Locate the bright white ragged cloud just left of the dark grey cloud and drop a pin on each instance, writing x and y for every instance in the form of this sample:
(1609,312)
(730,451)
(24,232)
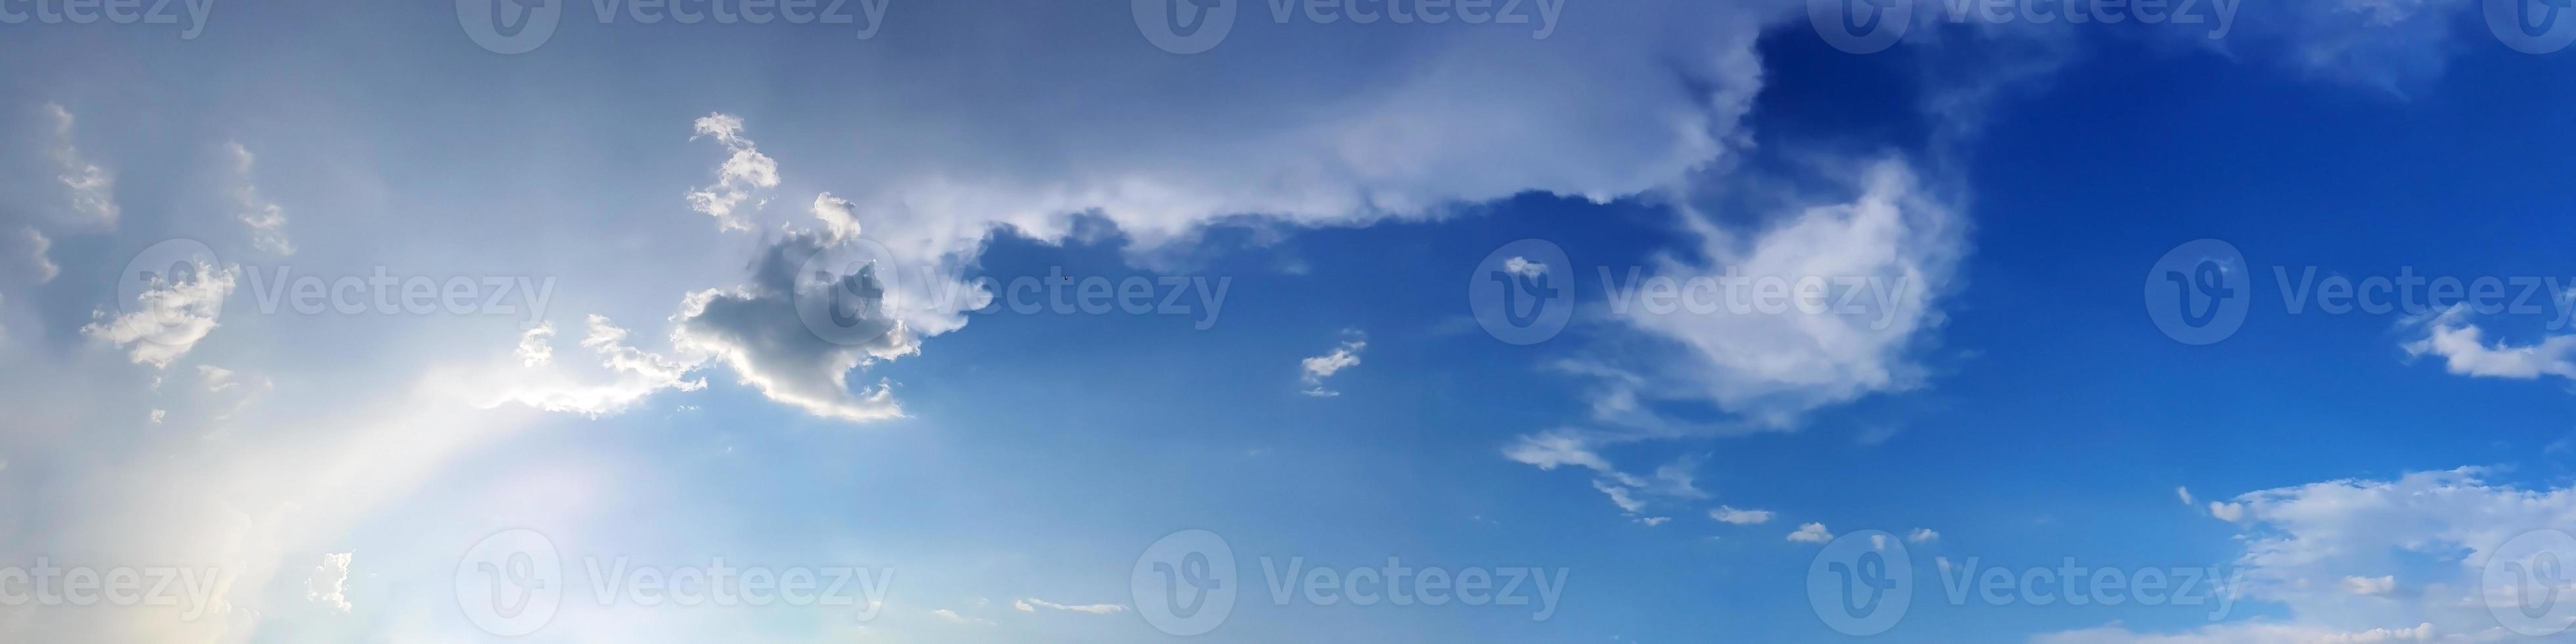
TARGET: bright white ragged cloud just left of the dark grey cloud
(635,375)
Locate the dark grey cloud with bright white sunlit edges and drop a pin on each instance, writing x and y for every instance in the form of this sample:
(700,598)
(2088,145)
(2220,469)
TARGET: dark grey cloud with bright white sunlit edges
(808,318)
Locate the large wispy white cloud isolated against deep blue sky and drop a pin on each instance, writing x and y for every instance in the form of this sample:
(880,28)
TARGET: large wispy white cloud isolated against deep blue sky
(1877,269)
